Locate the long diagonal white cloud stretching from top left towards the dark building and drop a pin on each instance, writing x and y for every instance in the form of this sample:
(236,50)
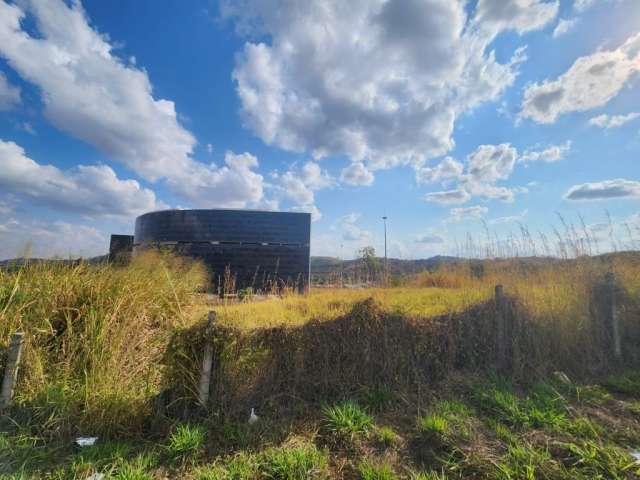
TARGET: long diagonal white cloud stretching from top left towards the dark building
(93,95)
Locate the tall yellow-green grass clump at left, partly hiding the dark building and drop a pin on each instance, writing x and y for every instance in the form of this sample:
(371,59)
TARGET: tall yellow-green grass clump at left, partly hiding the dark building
(94,336)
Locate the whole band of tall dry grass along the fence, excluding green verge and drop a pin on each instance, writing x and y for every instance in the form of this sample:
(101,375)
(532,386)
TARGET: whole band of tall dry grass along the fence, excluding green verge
(103,341)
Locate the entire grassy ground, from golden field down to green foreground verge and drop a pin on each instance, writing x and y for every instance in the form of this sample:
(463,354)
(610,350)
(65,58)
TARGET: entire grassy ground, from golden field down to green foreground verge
(376,383)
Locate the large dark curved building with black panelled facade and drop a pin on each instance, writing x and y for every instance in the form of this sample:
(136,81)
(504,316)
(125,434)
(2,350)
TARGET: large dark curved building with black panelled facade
(241,248)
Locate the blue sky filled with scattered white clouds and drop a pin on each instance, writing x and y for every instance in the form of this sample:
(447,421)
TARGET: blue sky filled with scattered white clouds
(463,122)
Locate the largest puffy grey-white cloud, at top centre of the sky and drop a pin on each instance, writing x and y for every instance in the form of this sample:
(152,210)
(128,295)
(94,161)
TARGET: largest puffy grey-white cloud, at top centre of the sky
(381,81)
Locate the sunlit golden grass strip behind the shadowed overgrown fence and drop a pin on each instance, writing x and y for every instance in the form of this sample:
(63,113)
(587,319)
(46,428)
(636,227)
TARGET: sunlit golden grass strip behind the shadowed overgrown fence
(558,291)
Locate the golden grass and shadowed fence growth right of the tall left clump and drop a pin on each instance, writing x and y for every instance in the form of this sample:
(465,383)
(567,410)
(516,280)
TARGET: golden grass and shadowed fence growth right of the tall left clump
(338,340)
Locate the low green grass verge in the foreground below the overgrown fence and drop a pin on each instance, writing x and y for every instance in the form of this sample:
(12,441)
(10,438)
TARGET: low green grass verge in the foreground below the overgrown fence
(470,429)
